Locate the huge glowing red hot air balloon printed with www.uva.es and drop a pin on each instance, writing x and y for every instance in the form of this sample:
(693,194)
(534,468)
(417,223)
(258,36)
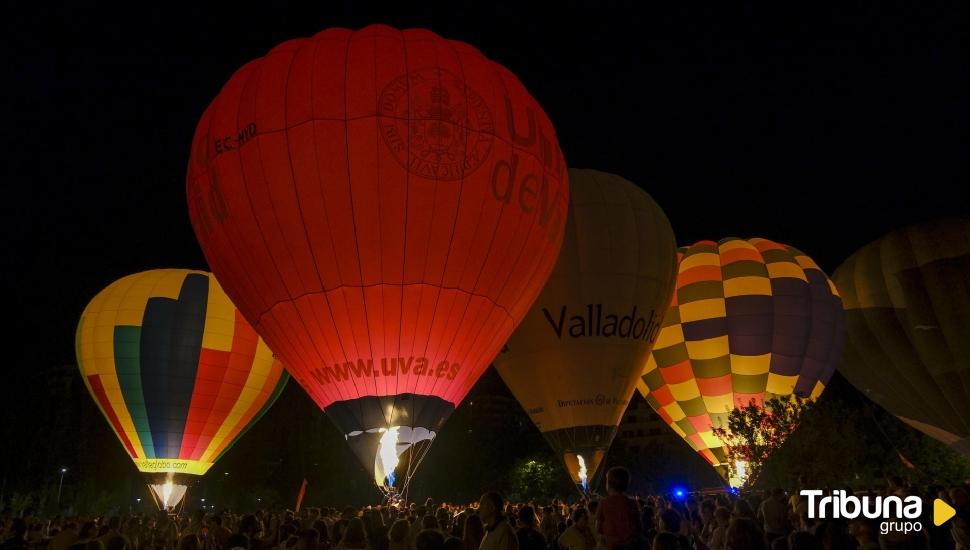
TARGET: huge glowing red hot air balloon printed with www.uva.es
(383,206)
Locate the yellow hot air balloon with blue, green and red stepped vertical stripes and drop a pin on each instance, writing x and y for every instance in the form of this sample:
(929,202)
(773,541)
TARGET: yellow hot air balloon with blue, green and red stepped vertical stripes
(177,371)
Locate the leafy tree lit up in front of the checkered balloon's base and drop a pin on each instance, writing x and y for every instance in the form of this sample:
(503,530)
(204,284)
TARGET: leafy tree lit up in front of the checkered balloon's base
(754,432)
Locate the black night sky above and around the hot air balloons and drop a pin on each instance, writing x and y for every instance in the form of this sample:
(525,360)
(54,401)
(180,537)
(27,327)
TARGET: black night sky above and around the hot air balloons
(822,128)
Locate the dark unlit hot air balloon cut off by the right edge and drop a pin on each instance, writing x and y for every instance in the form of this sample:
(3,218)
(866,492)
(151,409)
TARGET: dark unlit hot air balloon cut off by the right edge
(907,301)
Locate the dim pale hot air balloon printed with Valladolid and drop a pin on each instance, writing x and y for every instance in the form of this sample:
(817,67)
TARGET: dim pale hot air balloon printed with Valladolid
(575,360)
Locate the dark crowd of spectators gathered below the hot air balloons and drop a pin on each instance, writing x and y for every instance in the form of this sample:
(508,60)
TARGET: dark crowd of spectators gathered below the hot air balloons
(774,520)
